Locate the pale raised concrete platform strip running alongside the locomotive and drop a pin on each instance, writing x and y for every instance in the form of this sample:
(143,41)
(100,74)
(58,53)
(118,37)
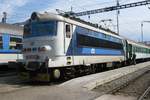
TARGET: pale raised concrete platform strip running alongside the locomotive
(89,82)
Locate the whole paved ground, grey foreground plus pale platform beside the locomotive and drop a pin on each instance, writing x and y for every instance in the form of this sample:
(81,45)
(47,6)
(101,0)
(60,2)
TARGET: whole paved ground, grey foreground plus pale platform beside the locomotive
(75,89)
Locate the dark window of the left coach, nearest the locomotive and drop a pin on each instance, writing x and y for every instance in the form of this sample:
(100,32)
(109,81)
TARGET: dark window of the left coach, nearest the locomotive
(15,43)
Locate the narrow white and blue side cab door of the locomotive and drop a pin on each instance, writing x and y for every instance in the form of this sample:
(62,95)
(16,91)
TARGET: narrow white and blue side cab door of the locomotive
(69,42)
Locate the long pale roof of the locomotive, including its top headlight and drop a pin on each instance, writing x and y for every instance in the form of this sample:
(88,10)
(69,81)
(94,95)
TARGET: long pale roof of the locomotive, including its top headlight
(51,16)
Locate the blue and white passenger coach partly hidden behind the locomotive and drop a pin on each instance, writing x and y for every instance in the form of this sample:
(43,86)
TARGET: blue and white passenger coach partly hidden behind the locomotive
(10,43)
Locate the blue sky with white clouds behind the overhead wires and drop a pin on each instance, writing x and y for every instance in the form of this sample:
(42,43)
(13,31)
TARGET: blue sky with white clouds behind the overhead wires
(129,19)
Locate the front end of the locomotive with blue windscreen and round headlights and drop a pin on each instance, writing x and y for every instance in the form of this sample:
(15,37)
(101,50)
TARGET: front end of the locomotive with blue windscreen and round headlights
(38,47)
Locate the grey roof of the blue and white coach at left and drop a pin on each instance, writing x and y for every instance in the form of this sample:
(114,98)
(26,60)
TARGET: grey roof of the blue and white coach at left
(11,29)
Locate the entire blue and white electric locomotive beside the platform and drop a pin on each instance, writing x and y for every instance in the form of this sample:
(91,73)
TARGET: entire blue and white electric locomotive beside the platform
(58,47)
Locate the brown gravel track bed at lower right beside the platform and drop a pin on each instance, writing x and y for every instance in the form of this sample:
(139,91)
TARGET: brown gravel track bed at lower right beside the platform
(131,85)
